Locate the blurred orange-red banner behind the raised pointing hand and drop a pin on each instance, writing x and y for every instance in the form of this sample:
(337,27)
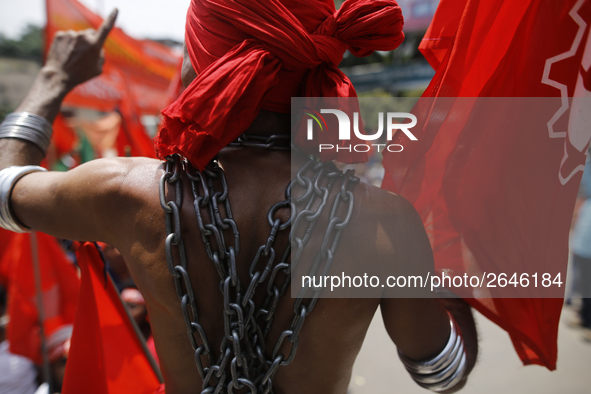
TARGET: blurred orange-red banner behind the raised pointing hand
(145,66)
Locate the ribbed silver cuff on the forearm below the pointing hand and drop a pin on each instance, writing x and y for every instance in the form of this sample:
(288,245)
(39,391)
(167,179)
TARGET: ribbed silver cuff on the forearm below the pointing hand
(29,127)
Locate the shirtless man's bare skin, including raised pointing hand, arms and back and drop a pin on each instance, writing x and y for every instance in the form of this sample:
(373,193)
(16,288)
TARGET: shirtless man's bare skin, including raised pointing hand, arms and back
(116,201)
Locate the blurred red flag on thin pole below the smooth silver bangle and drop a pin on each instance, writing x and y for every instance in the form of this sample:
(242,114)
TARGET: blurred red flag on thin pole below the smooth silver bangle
(59,286)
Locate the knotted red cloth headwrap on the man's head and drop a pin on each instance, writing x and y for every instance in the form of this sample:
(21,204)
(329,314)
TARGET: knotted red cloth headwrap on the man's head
(257,54)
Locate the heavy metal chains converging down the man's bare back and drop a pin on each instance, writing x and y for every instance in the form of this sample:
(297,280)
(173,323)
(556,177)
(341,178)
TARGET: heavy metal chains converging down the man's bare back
(243,361)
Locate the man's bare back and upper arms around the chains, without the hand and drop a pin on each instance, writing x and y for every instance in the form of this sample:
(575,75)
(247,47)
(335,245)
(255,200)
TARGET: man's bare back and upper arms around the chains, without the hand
(124,193)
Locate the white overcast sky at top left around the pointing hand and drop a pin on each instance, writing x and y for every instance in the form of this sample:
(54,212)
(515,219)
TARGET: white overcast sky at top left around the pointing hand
(138,18)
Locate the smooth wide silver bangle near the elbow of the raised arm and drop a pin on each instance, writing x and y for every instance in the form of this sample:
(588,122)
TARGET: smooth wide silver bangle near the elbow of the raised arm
(8,178)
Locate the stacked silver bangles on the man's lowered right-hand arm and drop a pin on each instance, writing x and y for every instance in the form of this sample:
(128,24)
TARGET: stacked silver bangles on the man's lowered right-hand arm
(444,370)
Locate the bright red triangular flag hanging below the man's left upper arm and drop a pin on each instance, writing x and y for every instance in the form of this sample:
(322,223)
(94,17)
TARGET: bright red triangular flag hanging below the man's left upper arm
(106,355)
